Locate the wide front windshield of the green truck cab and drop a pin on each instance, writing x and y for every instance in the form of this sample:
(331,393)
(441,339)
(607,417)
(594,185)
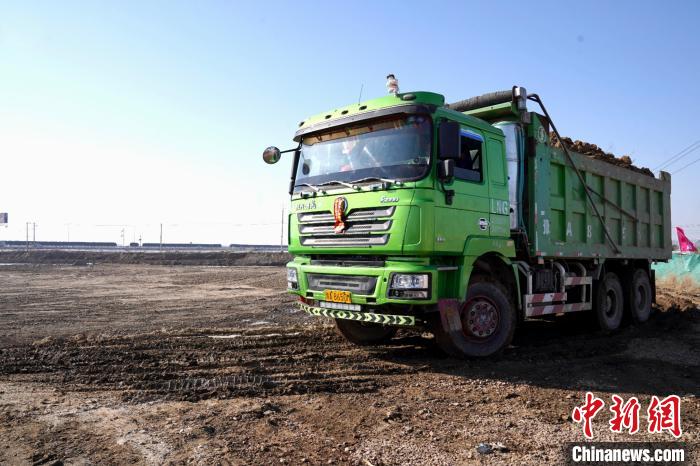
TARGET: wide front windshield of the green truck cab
(395,148)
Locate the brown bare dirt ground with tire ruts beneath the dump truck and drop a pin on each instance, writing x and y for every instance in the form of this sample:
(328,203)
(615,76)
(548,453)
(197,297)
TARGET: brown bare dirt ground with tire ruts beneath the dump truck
(113,364)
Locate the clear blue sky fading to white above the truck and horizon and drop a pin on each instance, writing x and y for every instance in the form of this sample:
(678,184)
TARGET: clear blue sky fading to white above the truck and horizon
(125,115)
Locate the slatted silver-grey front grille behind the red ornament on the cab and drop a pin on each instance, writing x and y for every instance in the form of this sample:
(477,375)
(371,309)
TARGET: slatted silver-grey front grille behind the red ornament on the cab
(365,228)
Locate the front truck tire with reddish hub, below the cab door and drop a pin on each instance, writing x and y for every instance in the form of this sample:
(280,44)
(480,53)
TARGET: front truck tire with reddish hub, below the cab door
(488,322)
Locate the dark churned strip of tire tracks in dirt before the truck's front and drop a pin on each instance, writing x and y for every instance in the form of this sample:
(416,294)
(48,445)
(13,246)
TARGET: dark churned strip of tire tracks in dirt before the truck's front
(157,367)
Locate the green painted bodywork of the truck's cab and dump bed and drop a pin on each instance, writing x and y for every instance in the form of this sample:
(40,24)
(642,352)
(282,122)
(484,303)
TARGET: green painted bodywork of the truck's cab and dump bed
(420,230)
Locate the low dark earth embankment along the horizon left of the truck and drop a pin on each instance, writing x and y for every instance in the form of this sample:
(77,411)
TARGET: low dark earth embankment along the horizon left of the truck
(222,257)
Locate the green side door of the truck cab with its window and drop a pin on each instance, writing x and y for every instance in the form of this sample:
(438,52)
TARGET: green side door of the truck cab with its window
(469,212)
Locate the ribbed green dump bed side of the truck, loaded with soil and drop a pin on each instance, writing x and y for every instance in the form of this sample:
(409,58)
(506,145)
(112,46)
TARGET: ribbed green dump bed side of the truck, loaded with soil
(559,218)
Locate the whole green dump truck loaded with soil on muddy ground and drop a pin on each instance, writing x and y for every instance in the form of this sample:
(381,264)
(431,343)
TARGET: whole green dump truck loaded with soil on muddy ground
(465,219)
